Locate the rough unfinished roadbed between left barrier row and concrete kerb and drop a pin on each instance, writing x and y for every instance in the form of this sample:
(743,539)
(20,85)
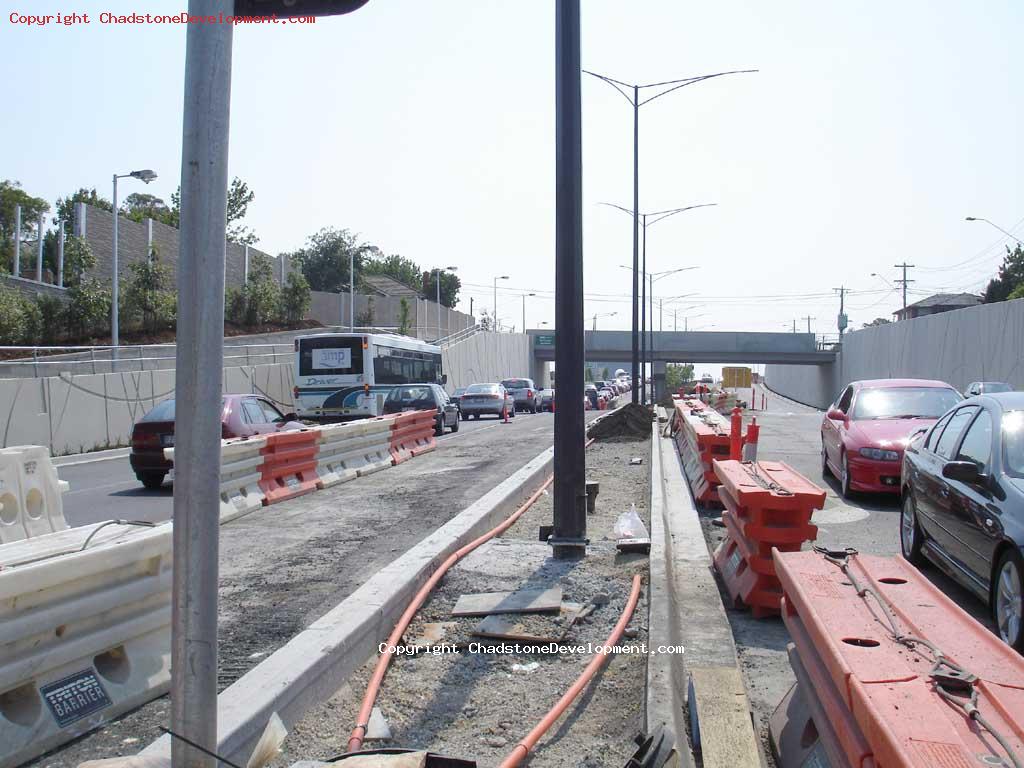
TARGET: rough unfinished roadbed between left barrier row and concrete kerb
(285,567)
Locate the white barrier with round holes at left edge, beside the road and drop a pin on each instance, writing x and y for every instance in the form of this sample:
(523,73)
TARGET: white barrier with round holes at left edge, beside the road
(30,494)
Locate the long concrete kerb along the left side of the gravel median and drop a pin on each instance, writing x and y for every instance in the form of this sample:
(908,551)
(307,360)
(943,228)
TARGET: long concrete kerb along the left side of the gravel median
(317,662)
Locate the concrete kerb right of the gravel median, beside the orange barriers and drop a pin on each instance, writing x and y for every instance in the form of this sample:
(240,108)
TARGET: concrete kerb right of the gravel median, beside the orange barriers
(687,609)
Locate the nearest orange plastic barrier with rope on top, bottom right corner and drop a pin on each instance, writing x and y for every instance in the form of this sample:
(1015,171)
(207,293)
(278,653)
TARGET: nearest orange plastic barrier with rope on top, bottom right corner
(883,697)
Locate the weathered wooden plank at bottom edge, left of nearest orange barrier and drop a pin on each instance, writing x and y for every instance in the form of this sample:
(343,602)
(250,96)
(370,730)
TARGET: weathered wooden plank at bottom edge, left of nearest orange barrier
(727,732)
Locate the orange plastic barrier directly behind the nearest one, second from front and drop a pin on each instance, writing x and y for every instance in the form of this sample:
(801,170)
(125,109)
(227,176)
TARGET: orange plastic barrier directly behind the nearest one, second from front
(767,506)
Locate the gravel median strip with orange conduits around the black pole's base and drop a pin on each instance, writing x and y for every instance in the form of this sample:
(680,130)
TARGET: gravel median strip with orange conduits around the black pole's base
(479,705)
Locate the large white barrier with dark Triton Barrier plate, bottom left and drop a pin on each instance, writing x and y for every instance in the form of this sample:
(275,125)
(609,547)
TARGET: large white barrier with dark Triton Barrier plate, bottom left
(86,633)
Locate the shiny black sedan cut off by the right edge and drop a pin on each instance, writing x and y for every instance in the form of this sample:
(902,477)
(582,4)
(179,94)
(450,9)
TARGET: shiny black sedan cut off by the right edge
(964,503)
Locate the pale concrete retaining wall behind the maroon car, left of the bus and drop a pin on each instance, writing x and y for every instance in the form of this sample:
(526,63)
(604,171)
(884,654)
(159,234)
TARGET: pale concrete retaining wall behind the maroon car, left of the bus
(72,414)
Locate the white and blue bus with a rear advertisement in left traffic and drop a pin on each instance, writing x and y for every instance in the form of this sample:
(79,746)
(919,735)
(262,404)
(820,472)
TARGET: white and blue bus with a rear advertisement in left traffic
(342,377)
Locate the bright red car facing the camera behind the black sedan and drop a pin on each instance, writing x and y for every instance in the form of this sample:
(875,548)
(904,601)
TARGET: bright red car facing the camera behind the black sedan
(865,433)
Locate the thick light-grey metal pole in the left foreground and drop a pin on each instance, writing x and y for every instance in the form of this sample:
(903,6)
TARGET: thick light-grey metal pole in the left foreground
(198,383)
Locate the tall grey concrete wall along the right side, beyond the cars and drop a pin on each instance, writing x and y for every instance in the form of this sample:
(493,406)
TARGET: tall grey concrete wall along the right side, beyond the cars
(982,344)
